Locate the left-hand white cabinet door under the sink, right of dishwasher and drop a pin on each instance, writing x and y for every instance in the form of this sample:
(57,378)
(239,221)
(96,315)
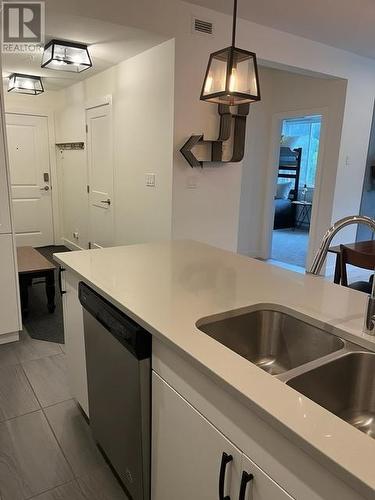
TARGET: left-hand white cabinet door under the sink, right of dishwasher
(187,451)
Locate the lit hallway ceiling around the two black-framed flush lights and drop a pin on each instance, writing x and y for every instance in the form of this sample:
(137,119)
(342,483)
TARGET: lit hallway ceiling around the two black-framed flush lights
(108,43)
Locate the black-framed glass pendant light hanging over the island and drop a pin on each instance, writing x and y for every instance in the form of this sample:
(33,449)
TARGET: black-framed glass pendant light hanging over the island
(232,74)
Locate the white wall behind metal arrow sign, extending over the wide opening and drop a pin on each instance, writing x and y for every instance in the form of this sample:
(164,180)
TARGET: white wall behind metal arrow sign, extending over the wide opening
(211,212)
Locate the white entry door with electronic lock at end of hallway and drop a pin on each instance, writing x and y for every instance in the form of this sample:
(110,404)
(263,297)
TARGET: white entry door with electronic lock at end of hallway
(30,179)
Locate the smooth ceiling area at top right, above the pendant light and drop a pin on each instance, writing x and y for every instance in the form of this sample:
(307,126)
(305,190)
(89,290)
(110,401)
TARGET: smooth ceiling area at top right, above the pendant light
(346,24)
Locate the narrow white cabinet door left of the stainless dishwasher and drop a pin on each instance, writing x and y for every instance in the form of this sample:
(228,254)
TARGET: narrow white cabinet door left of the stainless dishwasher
(74,340)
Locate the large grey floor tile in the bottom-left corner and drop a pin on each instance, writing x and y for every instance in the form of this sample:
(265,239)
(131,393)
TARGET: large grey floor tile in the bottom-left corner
(31,461)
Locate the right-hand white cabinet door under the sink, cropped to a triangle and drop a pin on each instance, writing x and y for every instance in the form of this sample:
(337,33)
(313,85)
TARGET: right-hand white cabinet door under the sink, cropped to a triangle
(256,485)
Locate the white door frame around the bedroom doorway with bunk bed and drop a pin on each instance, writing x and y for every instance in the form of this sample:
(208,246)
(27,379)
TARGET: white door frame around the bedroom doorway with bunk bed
(271,176)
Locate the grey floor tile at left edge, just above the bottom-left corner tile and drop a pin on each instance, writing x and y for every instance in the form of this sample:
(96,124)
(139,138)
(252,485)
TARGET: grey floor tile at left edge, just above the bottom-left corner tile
(16,395)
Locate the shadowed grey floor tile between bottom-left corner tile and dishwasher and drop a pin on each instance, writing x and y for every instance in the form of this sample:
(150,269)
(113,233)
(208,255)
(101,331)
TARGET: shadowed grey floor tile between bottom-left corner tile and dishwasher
(74,436)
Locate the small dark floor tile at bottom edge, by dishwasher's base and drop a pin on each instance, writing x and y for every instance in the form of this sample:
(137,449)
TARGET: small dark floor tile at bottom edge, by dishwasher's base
(101,485)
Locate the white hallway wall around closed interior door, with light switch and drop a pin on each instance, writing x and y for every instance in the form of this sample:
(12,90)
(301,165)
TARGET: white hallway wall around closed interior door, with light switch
(142,98)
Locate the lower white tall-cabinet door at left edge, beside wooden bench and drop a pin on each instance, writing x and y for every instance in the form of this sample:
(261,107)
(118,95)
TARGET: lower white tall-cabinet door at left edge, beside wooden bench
(8,292)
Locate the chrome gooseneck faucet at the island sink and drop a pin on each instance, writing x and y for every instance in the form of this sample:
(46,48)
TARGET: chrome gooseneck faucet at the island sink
(321,254)
